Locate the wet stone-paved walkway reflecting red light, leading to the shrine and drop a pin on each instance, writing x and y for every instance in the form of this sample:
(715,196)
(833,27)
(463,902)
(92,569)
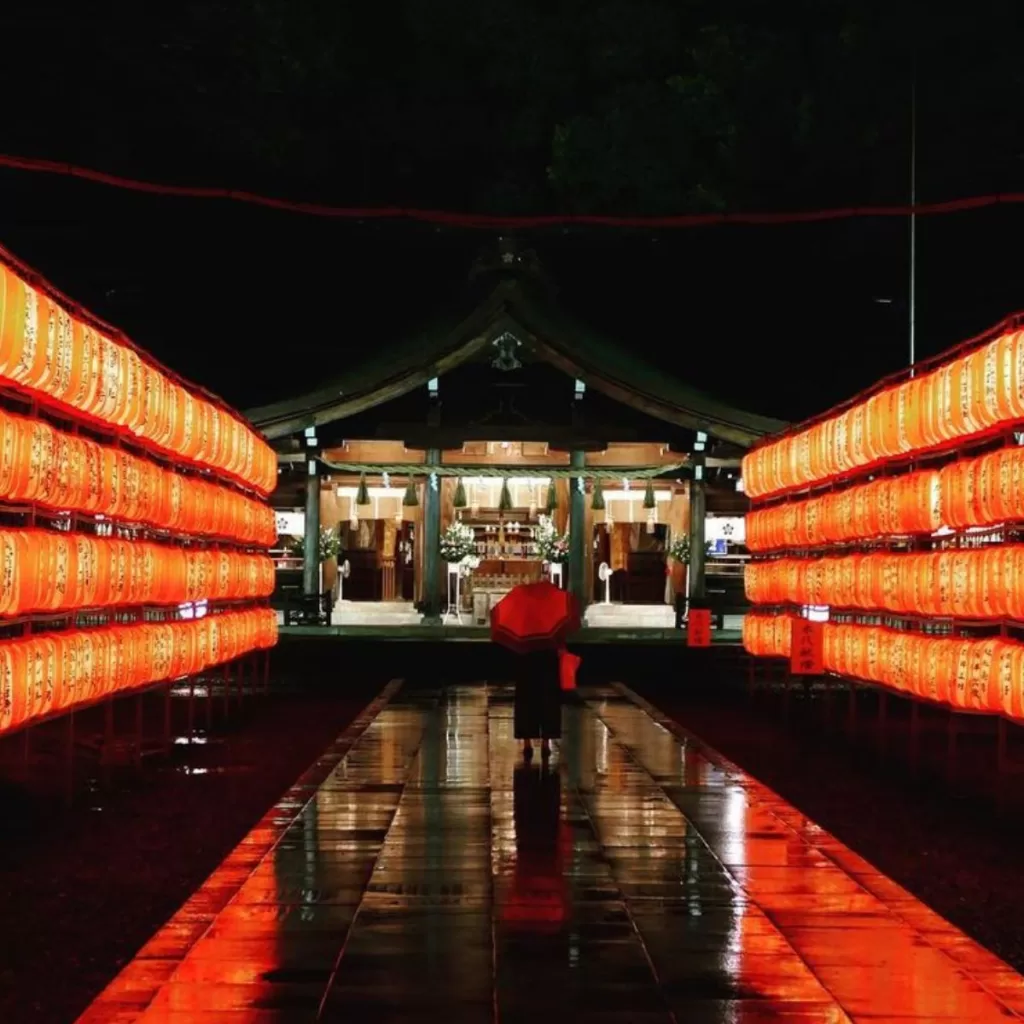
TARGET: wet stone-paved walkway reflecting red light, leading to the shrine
(421,871)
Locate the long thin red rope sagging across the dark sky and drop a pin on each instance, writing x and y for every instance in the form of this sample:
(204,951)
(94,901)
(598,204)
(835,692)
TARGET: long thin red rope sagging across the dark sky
(493,223)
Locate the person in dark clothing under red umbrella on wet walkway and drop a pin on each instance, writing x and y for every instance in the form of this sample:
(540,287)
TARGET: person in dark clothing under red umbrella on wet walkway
(534,621)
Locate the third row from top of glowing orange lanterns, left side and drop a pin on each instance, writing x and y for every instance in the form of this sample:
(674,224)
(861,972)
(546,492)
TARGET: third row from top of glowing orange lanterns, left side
(52,571)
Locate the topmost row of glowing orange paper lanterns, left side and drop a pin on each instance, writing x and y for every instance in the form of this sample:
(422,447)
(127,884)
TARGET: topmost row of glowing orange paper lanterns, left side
(46,350)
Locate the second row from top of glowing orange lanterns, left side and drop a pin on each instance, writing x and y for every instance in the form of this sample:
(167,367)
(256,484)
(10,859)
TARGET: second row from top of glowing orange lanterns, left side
(45,466)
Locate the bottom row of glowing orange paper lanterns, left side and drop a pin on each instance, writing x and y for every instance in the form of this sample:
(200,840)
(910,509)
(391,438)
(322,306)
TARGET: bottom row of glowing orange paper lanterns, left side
(58,672)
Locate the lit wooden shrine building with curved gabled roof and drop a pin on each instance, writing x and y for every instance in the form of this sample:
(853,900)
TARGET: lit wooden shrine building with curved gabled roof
(506,446)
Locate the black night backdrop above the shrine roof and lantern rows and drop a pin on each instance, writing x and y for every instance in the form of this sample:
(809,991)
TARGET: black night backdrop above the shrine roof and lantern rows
(633,107)
